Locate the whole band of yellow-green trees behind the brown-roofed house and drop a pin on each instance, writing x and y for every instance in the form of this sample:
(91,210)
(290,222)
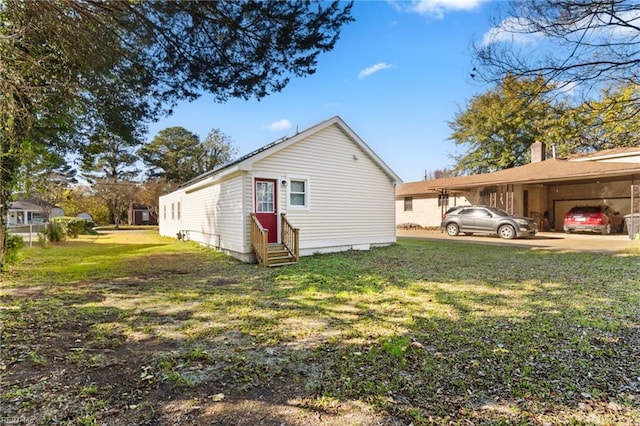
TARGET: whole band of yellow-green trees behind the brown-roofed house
(499,126)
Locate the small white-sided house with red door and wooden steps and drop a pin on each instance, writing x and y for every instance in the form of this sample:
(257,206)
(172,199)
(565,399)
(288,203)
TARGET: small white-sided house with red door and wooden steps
(322,190)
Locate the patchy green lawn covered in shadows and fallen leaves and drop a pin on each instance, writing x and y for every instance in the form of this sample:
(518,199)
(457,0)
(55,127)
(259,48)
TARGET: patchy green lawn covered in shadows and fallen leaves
(131,328)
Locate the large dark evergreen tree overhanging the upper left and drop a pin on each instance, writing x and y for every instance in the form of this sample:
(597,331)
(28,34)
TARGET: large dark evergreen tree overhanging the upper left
(70,68)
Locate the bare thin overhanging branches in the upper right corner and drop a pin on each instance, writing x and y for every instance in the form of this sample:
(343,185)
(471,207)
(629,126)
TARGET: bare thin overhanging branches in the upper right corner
(570,43)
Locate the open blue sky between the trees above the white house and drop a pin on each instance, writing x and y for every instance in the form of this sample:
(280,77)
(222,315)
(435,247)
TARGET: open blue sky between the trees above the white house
(397,75)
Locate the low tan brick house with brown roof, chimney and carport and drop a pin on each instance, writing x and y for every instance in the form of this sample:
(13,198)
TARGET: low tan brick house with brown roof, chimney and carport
(544,189)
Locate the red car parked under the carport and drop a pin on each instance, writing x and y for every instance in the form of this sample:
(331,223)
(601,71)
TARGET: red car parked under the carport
(600,219)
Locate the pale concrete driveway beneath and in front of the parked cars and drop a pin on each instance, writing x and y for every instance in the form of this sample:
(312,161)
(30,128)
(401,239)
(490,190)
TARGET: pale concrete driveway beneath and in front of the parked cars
(543,240)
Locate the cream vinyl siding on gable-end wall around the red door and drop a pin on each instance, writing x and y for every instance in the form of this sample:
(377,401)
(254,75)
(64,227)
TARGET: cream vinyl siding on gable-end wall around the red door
(353,199)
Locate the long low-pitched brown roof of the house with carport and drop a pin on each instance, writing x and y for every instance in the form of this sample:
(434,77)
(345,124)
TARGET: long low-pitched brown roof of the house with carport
(548,171)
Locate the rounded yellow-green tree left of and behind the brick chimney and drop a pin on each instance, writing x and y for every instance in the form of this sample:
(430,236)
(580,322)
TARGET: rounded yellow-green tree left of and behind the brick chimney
(499,126)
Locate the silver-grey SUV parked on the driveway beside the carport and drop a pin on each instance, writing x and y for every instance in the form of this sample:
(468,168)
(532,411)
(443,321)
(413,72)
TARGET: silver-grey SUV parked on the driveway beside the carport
(487,220)
